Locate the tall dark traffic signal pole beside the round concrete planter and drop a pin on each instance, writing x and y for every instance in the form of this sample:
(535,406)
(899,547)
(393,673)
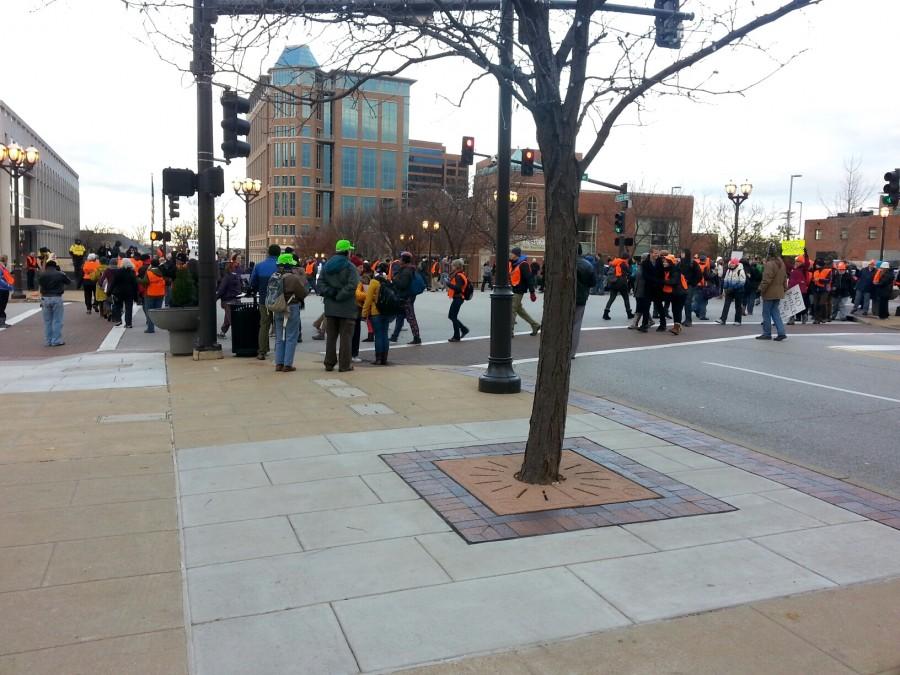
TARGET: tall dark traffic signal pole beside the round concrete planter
(206,346)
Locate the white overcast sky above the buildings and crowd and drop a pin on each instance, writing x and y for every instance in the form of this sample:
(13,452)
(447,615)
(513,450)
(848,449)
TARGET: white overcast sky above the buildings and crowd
(89,81)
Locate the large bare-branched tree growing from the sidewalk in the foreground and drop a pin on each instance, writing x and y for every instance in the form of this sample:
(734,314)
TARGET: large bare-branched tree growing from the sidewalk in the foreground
(576,71)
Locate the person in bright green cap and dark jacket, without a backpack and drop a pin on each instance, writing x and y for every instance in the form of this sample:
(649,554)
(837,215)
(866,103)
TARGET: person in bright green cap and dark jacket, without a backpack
(337,285)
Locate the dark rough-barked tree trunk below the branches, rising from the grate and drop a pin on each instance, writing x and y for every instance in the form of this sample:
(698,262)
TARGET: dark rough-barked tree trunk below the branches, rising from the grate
(548,412)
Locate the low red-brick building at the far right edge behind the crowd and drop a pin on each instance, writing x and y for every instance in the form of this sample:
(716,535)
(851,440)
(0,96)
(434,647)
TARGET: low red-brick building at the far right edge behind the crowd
(855,237)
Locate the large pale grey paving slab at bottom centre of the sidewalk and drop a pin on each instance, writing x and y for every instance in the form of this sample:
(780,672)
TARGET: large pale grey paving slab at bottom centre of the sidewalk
(425,624)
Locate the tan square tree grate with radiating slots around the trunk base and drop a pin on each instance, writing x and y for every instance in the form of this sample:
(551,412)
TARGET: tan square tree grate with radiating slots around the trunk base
(491,480)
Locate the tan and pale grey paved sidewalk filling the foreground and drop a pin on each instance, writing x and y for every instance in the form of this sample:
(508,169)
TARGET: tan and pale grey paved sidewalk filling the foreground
(300,548)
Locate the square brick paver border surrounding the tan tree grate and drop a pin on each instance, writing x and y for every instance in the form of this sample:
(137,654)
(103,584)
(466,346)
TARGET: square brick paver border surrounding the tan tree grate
(476,523)
